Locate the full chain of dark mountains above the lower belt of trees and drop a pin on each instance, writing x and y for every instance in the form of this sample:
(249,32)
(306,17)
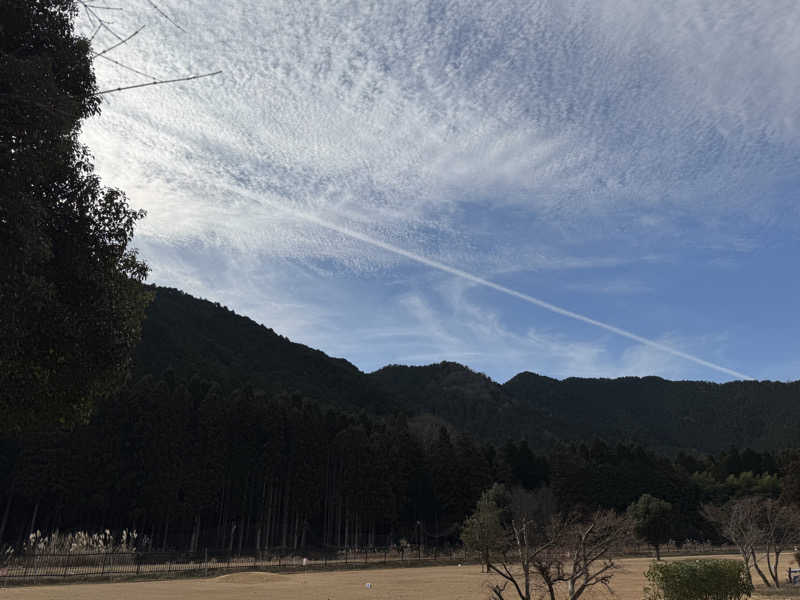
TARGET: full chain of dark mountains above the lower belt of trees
(192,336)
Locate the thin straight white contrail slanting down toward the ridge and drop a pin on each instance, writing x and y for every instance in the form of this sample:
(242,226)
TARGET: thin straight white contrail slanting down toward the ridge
(495,286)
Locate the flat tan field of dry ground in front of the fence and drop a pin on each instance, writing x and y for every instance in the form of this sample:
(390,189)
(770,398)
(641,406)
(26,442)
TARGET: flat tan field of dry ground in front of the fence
(429,583)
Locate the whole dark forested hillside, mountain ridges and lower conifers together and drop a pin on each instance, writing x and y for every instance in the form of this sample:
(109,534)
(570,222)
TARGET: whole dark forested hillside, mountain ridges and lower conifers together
(231,436)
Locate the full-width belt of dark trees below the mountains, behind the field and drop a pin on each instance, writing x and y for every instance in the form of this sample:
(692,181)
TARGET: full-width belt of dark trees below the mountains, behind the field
(191,466)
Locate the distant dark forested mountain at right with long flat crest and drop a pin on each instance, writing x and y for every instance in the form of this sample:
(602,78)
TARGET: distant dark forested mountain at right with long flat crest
(669,415)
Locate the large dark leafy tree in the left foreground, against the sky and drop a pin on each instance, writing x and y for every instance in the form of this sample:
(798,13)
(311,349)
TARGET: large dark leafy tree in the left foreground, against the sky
(70,291)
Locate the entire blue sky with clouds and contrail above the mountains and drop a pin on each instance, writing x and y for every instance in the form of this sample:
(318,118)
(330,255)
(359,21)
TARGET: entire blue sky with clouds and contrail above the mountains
(502,184)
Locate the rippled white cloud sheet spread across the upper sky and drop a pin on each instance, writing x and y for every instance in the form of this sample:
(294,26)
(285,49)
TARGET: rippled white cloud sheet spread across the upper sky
(391,115)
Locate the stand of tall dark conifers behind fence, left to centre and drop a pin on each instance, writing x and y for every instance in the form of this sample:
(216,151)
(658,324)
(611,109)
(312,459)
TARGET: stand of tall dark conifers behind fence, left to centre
(190,466)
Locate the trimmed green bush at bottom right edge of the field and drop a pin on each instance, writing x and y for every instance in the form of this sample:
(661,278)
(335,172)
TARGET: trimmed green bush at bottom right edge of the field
(708,579)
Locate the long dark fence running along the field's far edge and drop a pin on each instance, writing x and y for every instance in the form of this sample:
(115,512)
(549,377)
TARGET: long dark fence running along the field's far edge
(34,568)
